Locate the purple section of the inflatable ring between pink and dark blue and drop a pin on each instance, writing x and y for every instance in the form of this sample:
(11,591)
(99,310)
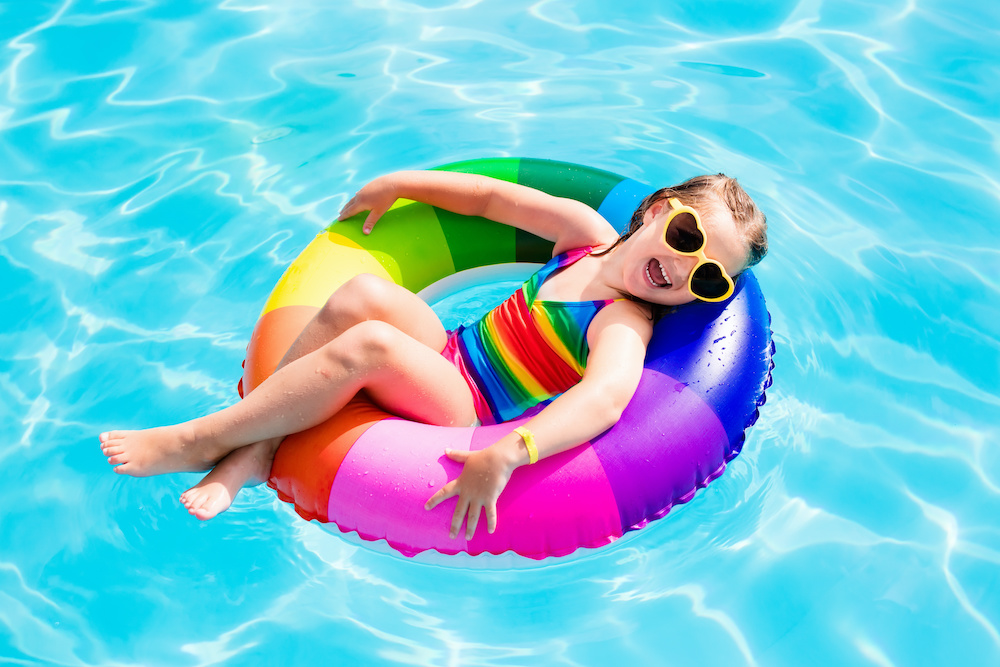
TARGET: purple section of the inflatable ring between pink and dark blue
(667,444)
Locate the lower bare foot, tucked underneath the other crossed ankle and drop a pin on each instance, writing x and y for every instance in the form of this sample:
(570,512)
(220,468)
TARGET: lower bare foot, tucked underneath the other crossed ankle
(216,492)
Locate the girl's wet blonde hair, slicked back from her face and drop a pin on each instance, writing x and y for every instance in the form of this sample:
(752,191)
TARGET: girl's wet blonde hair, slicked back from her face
(703,193)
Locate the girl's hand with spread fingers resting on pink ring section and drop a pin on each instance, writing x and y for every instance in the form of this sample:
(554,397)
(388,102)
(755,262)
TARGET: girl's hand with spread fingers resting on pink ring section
(483,478)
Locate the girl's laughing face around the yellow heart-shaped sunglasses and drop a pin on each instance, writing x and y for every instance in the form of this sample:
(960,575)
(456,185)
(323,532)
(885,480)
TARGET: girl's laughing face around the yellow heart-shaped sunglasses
(656,273)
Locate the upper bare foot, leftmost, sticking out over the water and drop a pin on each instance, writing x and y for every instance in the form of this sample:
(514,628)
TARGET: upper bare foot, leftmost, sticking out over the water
(156,451)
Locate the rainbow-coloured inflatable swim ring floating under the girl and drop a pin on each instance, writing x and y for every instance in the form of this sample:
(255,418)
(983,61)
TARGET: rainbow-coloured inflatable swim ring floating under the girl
(369,472)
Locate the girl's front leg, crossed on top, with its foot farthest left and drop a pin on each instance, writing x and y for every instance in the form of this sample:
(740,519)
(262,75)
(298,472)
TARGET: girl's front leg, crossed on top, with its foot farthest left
(397,370)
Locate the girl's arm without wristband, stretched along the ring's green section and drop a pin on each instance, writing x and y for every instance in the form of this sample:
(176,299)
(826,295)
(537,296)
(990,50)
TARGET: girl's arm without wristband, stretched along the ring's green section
(567,222)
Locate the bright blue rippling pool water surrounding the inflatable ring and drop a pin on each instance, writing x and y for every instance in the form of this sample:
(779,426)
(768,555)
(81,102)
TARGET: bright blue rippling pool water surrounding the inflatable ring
(162,162)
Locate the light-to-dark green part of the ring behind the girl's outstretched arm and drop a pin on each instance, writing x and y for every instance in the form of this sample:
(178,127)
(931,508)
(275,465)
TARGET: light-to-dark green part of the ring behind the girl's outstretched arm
(423,244)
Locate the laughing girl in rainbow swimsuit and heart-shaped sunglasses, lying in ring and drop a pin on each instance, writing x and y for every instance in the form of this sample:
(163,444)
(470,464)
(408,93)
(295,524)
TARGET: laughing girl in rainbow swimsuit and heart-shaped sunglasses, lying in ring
(684,243)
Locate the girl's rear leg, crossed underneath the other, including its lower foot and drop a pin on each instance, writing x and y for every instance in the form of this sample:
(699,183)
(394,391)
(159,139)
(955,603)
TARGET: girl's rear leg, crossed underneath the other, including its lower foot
(362,298)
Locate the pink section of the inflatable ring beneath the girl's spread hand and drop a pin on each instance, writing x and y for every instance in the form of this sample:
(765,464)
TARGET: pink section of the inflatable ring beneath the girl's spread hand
(550,508)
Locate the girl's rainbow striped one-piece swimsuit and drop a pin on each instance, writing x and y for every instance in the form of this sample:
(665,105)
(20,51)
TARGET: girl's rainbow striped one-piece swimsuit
(524,352)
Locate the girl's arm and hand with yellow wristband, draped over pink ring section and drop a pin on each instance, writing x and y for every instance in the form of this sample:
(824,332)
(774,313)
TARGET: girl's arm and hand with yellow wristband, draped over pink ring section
(617,338)
